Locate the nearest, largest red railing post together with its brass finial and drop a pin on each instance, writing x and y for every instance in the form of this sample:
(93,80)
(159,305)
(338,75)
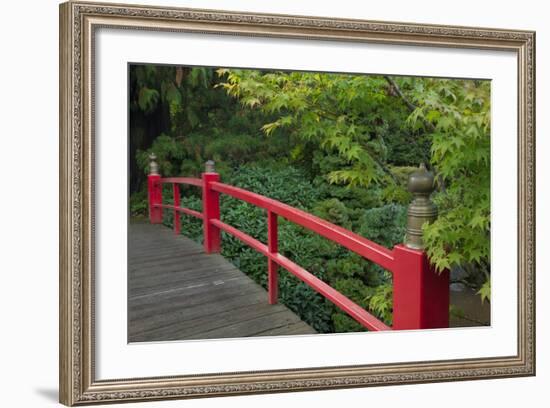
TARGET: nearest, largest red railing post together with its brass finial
(420,294)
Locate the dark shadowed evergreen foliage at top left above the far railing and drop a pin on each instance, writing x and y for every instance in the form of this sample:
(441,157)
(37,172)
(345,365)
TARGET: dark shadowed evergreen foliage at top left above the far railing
(204,123)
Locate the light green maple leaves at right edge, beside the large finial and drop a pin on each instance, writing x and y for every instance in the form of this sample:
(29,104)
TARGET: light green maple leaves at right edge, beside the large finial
(457,115)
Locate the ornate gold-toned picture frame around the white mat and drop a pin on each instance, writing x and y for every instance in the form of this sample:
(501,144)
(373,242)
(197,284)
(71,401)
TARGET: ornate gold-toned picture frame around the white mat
(78,22)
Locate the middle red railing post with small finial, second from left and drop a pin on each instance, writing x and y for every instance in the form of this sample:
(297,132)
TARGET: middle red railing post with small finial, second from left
(210,209)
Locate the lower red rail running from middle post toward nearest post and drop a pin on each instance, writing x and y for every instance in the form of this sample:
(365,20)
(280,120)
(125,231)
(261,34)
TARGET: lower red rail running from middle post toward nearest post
(347,305)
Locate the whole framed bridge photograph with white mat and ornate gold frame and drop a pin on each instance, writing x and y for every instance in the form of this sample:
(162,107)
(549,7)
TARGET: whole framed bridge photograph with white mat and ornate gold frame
(256,203)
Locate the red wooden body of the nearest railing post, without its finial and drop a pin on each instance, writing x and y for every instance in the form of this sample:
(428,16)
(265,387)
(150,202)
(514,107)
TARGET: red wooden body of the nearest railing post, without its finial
(420,295)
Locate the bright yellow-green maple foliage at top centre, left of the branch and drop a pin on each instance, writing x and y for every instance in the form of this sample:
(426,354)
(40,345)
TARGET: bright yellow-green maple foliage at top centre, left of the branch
(349,115)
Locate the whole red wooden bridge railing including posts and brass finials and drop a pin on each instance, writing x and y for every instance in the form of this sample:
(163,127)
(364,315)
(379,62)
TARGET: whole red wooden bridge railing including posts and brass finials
(420,295)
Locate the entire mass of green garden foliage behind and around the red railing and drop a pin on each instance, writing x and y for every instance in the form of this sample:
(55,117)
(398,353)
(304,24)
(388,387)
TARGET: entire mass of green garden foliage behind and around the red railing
(336,145)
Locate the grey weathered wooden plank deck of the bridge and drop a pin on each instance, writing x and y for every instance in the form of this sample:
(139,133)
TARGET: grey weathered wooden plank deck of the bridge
(177,292)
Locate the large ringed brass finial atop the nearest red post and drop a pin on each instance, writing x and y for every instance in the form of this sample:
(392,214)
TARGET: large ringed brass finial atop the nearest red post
(421,209)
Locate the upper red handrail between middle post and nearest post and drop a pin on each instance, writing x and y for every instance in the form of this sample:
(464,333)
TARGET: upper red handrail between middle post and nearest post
(356,243)
